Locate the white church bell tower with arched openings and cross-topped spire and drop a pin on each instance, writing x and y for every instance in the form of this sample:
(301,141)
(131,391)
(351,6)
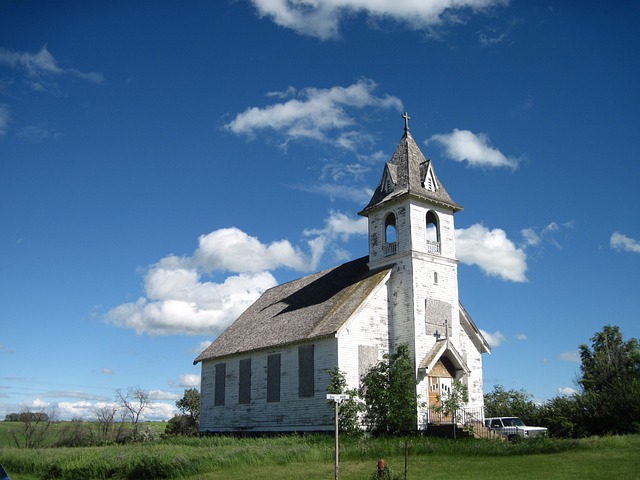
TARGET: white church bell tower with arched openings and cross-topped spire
(411,228)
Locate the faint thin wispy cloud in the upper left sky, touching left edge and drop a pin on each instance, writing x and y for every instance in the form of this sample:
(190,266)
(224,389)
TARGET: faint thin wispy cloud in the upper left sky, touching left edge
(42,64)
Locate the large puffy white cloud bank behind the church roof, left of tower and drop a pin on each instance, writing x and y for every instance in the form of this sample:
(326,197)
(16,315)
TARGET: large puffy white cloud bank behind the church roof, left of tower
(178,300)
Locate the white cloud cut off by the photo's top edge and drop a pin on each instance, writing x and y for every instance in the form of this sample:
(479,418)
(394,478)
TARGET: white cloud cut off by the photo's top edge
(322,18)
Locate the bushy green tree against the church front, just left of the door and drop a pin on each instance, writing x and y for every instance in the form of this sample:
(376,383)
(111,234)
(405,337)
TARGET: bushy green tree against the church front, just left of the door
(389,394)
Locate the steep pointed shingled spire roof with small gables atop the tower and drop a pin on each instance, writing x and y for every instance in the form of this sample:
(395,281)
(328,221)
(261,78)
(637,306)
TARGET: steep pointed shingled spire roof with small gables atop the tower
(411,173)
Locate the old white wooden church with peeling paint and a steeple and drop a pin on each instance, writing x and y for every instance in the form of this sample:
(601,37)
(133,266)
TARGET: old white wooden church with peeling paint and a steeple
(267,372)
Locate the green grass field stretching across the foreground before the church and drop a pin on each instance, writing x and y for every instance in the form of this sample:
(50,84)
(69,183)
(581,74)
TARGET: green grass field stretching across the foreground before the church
(311,457)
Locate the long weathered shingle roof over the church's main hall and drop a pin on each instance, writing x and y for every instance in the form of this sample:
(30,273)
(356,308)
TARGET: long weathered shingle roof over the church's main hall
(311,307)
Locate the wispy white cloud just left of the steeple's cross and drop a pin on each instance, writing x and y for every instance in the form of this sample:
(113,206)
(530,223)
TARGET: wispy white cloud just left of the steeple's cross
(313,113)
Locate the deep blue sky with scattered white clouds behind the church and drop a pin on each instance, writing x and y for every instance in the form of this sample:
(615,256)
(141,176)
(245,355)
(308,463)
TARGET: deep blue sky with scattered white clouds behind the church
(162,163)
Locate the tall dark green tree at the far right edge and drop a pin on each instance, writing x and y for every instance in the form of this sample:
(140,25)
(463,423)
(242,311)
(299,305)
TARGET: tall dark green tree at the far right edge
(611,383)
